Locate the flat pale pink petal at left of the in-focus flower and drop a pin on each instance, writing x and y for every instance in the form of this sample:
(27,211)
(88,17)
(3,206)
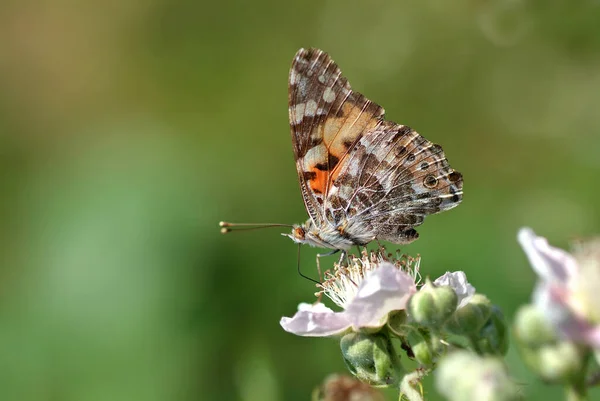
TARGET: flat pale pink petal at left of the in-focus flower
(315,321)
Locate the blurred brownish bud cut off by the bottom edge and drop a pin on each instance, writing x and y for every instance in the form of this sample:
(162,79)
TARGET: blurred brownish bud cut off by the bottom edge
(344,388)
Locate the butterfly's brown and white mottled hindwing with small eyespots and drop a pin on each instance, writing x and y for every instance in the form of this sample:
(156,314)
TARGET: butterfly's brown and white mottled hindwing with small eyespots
(392,179)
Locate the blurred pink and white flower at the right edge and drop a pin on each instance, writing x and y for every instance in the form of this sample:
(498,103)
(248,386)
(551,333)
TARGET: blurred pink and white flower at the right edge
(568,289)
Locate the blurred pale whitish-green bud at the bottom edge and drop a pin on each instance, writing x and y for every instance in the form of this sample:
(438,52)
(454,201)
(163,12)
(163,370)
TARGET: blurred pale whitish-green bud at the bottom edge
(463,375)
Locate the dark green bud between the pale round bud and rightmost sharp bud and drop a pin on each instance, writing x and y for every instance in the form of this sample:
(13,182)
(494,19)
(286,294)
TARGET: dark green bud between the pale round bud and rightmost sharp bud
(471,318)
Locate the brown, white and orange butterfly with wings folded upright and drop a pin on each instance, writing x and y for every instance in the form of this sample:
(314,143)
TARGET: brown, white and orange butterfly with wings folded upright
(362,177)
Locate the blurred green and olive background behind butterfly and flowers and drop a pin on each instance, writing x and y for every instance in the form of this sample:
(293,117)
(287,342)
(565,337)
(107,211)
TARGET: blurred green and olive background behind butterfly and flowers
(129,128)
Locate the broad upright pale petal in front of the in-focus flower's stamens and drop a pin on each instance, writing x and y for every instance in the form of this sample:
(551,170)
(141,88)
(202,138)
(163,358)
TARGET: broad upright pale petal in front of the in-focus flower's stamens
(384,290)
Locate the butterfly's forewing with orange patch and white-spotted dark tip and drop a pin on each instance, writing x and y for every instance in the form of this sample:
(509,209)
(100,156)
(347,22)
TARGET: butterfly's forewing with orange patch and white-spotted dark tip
(327,119)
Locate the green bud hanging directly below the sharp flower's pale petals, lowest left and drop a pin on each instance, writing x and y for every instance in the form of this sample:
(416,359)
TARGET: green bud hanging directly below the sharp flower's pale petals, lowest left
(371,358)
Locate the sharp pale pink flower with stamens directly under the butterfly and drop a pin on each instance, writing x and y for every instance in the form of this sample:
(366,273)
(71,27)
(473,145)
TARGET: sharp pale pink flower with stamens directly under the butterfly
(367,291)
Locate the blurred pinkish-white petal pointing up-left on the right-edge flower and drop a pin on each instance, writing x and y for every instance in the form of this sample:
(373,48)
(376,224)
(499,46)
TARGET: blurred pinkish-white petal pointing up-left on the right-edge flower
(550,263)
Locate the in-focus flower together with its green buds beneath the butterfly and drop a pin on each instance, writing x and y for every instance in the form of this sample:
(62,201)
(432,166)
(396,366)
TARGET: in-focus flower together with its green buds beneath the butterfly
(387,312)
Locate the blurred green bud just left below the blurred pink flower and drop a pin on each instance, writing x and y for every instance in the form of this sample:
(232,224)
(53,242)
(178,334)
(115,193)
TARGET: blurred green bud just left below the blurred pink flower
(531,328)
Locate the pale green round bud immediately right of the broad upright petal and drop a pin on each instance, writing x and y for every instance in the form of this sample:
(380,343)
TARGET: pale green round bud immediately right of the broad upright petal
(431,306)
